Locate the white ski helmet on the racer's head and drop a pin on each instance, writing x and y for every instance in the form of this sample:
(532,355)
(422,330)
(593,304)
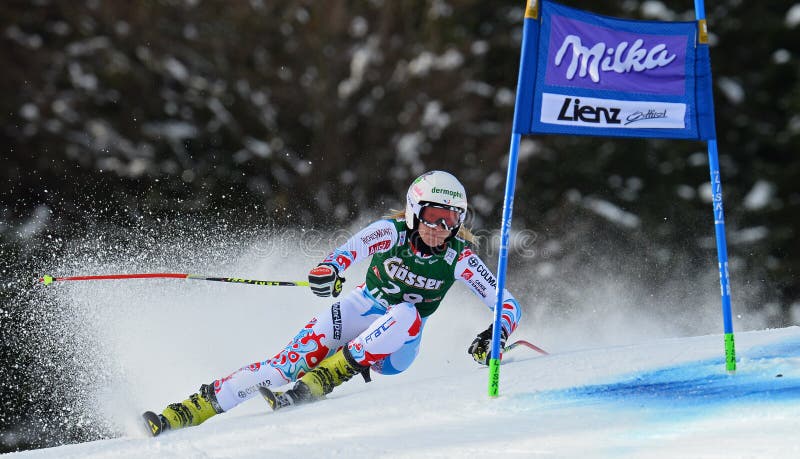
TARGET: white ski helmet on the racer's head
(436,188)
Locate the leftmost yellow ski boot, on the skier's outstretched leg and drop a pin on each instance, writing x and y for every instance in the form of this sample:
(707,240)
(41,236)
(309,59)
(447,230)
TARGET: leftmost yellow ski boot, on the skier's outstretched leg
(193,411)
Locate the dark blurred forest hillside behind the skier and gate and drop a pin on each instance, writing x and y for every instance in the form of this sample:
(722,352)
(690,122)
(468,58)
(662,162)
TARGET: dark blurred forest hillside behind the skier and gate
(131,127)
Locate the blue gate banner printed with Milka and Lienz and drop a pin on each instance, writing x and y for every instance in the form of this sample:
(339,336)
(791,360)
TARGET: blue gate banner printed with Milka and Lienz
(586,74)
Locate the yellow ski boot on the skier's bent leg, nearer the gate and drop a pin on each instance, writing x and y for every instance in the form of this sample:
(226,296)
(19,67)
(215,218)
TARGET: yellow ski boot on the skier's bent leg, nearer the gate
(317,383)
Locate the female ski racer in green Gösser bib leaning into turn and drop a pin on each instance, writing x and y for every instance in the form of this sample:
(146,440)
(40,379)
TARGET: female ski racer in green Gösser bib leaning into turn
(416,256)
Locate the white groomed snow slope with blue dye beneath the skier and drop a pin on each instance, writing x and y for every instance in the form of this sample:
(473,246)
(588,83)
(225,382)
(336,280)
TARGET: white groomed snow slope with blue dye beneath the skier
(664,398)
